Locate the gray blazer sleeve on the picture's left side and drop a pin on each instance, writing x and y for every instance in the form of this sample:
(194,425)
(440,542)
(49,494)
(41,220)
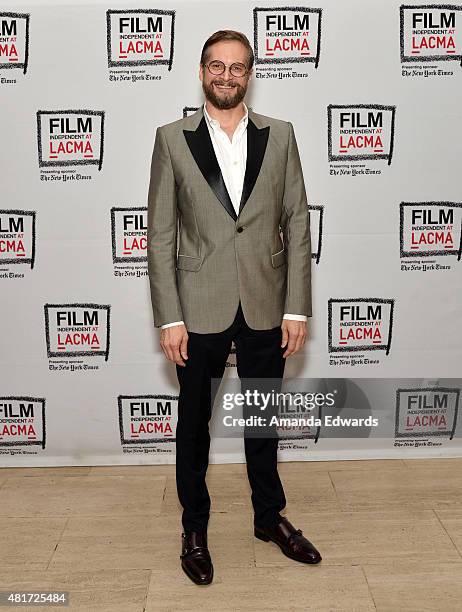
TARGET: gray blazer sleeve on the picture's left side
(162,235)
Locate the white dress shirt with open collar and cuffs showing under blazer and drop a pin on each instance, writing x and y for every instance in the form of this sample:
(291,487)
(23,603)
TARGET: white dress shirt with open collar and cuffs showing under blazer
(232,159)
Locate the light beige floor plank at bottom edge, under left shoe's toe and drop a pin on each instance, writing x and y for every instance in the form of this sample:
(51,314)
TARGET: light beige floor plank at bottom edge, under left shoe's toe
(300,587)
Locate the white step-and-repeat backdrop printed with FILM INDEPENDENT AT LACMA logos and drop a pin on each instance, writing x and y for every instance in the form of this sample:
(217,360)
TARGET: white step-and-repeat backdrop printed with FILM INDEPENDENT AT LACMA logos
(373,91)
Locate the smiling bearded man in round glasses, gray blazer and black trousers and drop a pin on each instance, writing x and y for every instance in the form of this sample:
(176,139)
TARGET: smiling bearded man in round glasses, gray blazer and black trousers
(227,181)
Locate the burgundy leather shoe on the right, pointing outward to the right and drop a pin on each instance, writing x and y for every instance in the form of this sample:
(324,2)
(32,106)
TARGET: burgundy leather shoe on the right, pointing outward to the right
(290,540)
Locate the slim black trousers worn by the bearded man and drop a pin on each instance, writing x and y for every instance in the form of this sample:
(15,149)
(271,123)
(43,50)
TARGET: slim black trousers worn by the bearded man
(258,355)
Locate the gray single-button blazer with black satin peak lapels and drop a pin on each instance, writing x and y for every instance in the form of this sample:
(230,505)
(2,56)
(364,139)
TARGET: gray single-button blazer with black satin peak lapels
(202,257)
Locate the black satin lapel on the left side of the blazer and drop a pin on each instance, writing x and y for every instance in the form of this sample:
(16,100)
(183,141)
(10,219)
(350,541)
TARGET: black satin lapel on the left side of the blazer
(201,147)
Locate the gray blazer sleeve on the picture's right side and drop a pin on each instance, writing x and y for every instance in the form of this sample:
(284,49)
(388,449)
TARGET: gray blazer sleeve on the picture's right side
(295,225)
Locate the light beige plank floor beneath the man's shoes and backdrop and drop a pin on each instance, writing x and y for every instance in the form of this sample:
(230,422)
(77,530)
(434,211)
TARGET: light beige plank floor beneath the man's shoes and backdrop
(390,533)
